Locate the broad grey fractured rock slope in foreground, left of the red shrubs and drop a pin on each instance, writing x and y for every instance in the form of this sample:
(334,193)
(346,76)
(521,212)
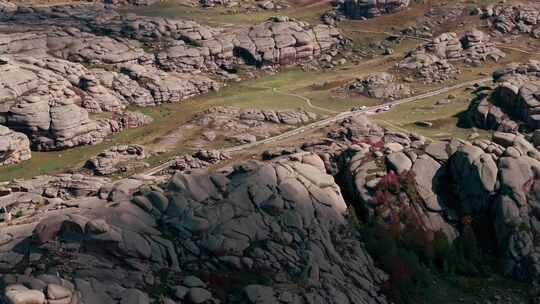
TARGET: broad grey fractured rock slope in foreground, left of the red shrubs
(206,237)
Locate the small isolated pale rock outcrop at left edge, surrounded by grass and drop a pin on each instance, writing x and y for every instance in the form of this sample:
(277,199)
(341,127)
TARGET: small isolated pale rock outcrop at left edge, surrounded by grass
(14,147)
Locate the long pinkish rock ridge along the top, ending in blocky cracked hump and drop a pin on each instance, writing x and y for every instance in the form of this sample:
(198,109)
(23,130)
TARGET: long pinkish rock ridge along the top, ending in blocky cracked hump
(190,47)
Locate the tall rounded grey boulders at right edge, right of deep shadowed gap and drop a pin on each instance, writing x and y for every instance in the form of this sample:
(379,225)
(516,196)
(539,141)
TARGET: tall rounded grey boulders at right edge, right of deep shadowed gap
(505,186)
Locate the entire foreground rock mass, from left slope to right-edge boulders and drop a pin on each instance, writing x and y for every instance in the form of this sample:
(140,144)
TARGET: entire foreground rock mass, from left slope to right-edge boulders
(275,231)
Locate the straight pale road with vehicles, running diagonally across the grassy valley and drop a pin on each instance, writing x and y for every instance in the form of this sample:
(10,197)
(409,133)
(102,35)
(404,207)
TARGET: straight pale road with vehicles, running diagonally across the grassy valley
(325,122)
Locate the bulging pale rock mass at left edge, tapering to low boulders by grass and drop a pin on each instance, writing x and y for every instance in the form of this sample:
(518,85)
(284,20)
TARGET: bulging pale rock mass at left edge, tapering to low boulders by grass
(49,100)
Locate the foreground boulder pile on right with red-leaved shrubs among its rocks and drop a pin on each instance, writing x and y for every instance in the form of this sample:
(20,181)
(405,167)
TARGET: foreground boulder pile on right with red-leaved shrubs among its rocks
(401,179)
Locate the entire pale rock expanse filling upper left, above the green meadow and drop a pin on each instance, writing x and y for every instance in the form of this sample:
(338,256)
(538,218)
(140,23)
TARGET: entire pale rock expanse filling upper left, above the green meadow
(60,64)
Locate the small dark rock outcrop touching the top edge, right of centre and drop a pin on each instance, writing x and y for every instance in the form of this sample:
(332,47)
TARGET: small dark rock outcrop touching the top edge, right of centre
(358,9)
